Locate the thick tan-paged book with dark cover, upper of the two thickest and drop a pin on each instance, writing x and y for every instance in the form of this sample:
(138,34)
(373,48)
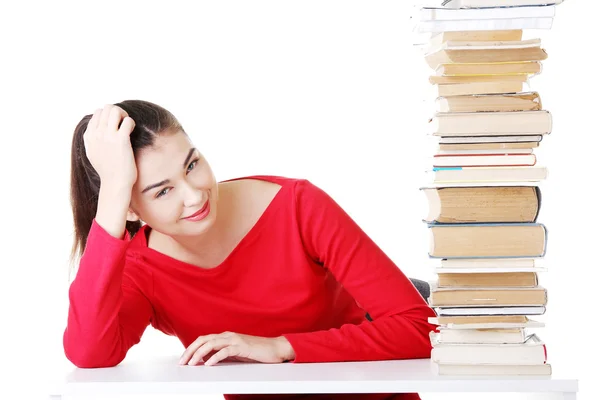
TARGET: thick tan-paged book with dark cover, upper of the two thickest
(482,204)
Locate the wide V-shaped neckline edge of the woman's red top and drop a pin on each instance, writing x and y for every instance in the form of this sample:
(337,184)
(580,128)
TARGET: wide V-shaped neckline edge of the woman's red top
(254,230)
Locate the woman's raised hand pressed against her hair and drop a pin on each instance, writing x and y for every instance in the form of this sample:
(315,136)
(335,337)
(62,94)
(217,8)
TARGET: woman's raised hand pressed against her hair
(108,147)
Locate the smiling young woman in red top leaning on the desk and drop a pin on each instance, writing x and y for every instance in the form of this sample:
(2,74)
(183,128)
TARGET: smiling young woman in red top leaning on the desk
(259,269)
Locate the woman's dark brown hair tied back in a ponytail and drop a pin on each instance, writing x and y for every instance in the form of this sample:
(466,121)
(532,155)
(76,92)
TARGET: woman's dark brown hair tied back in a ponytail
(150,120)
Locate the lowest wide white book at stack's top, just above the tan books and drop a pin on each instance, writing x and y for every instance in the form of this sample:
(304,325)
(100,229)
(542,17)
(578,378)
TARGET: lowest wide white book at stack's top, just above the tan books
(484,24)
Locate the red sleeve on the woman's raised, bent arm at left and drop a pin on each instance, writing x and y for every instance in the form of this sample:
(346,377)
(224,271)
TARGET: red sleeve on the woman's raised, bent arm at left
(107,312)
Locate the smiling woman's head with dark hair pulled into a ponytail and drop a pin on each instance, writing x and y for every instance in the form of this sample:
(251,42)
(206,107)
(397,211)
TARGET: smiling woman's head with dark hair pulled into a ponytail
(174,180)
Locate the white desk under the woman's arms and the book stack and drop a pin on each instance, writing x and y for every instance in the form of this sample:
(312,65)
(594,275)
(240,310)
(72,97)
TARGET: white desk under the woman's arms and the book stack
(165,376)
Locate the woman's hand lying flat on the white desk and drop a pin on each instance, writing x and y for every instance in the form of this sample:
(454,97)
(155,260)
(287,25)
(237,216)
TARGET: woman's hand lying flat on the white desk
(238,347)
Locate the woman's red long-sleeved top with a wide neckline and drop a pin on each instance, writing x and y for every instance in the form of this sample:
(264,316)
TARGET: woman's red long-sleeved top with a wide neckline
(305,270)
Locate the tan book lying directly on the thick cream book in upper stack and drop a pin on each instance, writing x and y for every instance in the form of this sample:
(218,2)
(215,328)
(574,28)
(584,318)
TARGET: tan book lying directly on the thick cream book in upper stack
(504,102)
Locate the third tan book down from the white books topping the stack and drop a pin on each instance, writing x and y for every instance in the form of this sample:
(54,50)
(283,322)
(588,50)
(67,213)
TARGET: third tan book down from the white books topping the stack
(527,68)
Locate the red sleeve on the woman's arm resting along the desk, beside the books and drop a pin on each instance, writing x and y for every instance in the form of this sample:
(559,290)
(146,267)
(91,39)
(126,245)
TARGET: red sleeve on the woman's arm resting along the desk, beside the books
(399,329)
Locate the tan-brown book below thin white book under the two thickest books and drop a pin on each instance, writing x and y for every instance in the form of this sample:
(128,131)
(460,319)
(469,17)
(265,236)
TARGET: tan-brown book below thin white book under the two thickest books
(500,279)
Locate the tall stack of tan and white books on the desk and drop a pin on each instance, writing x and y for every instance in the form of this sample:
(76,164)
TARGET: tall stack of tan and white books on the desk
(484,194)
